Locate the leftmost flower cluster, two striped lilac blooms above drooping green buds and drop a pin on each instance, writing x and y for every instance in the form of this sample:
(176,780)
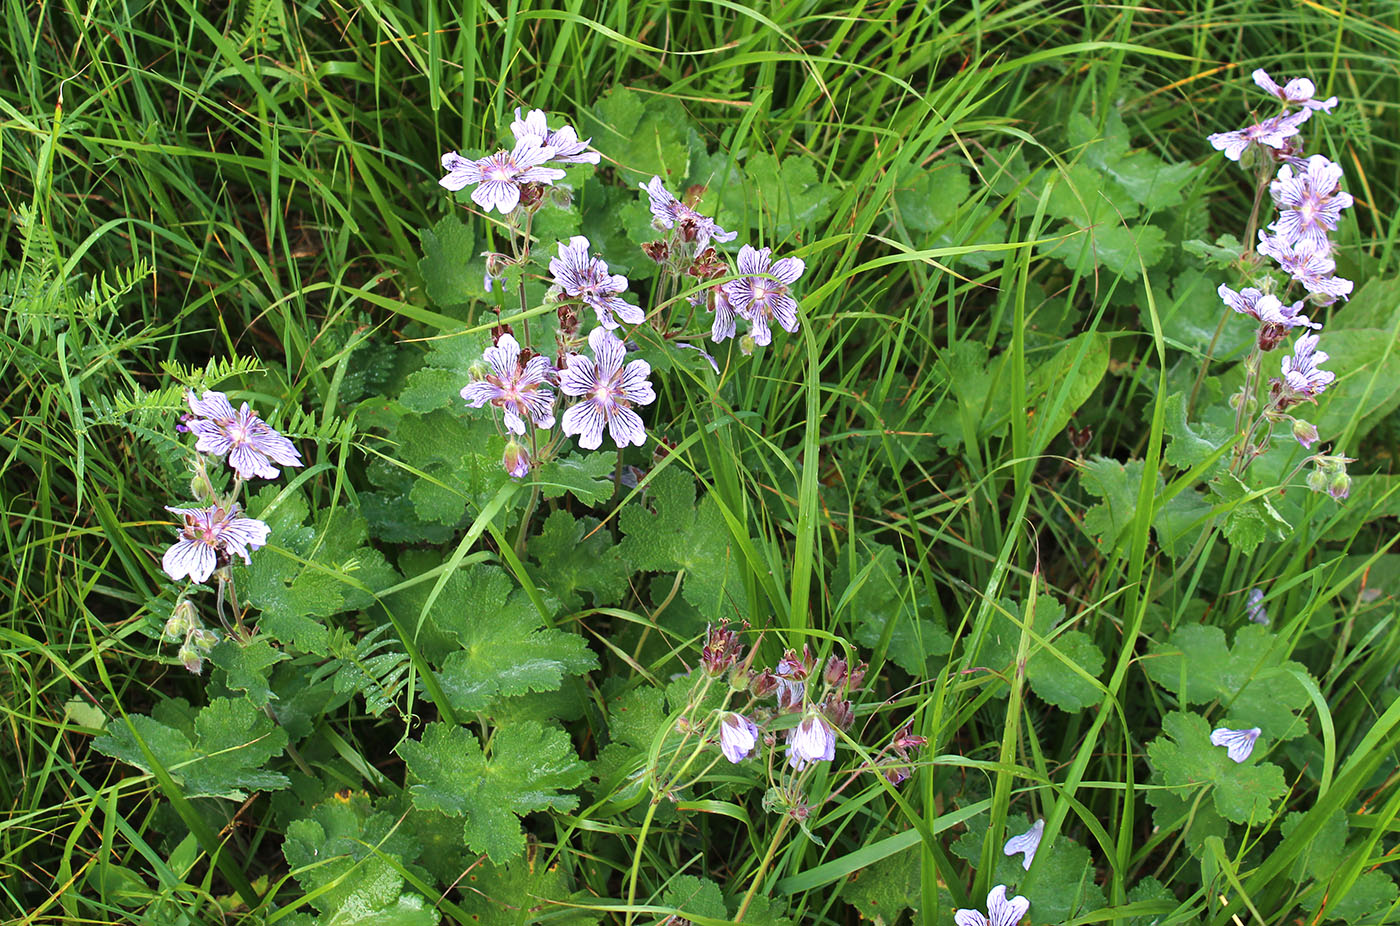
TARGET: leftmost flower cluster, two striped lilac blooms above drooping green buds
(211,537)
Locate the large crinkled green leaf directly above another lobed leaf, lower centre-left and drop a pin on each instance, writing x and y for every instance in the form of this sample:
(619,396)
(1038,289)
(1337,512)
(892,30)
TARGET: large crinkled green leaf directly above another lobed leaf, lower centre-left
(506,651)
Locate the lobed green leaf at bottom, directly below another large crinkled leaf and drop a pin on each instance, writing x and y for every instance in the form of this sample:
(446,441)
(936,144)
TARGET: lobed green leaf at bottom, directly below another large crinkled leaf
(528,770)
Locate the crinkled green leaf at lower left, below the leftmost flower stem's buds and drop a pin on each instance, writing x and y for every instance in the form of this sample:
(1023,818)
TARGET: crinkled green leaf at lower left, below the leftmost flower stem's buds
(225,756)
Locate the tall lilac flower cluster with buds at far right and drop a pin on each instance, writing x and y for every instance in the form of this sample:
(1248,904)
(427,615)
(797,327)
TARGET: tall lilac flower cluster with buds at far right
(1307,193)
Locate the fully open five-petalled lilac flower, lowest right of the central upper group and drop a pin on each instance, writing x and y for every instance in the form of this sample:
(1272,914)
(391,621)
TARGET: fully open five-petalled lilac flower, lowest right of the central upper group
(608,392)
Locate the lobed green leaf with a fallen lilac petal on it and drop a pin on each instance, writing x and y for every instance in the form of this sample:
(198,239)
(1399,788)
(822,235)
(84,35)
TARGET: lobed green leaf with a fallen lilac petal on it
(1184,757)
